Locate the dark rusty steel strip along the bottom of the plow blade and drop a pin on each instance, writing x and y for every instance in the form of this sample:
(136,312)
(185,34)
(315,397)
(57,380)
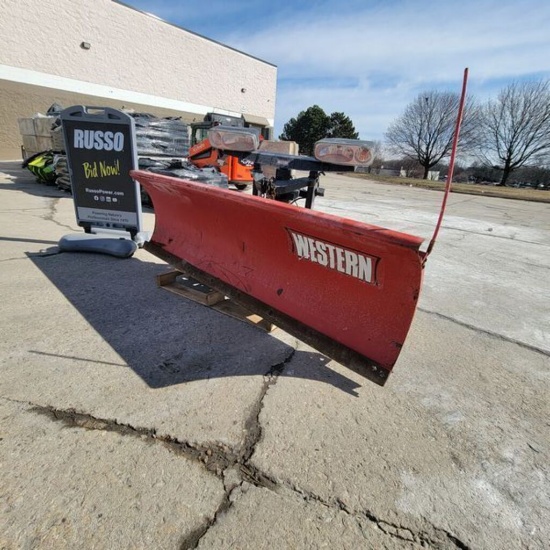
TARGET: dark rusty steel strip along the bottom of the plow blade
(342,354)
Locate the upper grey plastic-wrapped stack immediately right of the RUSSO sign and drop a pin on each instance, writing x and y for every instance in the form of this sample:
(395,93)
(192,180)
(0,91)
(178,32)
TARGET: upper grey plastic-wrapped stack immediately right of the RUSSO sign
(161,136)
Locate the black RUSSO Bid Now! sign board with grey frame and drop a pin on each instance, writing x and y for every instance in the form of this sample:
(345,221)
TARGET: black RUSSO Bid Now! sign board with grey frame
(100,145)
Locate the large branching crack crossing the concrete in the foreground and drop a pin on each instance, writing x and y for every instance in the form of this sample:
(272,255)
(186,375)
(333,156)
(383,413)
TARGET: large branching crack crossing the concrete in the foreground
(234,469)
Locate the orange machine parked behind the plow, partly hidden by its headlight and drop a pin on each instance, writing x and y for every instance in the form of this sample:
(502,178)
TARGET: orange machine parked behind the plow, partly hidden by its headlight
(202,154)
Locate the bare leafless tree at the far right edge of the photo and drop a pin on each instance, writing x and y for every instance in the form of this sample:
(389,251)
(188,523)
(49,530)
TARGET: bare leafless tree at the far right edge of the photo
(516,126)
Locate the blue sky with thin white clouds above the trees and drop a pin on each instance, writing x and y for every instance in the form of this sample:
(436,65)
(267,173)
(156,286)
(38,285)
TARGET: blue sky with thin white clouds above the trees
(370,58)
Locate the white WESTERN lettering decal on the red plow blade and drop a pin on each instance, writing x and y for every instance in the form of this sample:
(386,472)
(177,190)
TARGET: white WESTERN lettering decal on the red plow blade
(334,257)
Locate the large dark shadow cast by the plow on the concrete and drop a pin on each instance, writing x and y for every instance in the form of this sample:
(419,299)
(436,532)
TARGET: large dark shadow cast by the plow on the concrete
(167,339)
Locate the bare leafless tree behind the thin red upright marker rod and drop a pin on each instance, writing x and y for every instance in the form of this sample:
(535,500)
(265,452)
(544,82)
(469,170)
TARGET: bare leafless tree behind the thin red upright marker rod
(424,132)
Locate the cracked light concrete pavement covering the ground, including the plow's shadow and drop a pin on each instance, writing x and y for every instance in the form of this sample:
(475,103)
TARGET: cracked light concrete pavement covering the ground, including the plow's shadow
(134,418)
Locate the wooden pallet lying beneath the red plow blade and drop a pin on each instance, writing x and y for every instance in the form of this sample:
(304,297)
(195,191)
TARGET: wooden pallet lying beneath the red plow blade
(179,283)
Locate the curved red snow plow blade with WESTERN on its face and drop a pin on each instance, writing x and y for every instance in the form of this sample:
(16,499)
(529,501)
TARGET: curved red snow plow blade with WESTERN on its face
(346,288)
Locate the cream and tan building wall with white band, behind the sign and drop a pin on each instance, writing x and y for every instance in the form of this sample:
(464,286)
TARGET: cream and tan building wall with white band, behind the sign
(134,60)
